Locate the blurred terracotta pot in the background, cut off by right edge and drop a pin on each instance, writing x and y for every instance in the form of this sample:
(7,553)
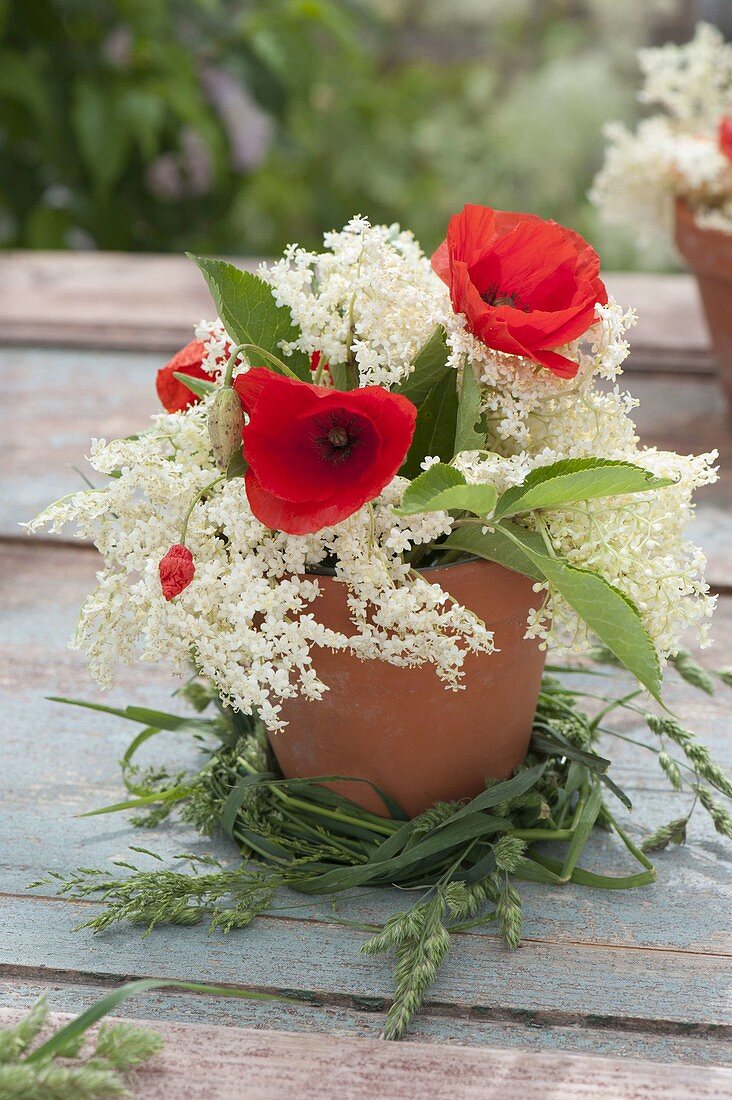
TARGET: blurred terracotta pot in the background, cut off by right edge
(709,255)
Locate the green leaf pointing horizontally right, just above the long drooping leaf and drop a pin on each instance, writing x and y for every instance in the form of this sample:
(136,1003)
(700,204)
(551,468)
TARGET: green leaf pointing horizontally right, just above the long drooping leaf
(572,480)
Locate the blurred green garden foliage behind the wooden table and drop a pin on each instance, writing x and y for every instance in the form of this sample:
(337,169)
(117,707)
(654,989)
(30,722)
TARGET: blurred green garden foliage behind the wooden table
(238,126)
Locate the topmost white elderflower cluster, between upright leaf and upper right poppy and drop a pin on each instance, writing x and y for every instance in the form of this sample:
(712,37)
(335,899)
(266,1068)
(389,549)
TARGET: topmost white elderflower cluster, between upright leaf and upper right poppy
(370,296)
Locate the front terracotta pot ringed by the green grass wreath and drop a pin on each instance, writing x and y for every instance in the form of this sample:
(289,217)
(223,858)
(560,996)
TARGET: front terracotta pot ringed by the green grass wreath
(400,728)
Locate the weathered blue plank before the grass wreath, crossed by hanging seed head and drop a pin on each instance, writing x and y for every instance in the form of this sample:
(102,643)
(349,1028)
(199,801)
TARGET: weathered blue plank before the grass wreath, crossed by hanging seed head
(559,983)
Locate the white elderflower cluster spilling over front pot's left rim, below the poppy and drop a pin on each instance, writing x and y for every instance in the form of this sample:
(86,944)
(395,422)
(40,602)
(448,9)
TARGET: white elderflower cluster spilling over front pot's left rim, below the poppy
(249,621)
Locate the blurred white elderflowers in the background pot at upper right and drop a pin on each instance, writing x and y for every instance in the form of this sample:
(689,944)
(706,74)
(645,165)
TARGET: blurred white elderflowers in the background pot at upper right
(676,153)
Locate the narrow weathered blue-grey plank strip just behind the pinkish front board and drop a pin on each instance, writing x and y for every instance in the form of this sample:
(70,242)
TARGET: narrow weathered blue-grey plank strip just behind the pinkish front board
(338,1020)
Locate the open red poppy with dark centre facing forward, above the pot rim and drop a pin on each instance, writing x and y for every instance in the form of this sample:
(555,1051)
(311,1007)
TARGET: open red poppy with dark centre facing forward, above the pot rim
(315,455)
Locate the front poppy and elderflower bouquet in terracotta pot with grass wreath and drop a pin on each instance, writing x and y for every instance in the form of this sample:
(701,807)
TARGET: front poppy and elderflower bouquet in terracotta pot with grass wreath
(424,469)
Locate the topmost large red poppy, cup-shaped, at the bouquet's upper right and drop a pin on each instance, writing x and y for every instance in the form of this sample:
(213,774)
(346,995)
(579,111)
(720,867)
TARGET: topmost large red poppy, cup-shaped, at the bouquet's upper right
(526,285)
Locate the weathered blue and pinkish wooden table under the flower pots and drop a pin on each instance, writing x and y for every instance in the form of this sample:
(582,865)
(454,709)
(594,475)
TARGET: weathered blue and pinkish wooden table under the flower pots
(611,995)
